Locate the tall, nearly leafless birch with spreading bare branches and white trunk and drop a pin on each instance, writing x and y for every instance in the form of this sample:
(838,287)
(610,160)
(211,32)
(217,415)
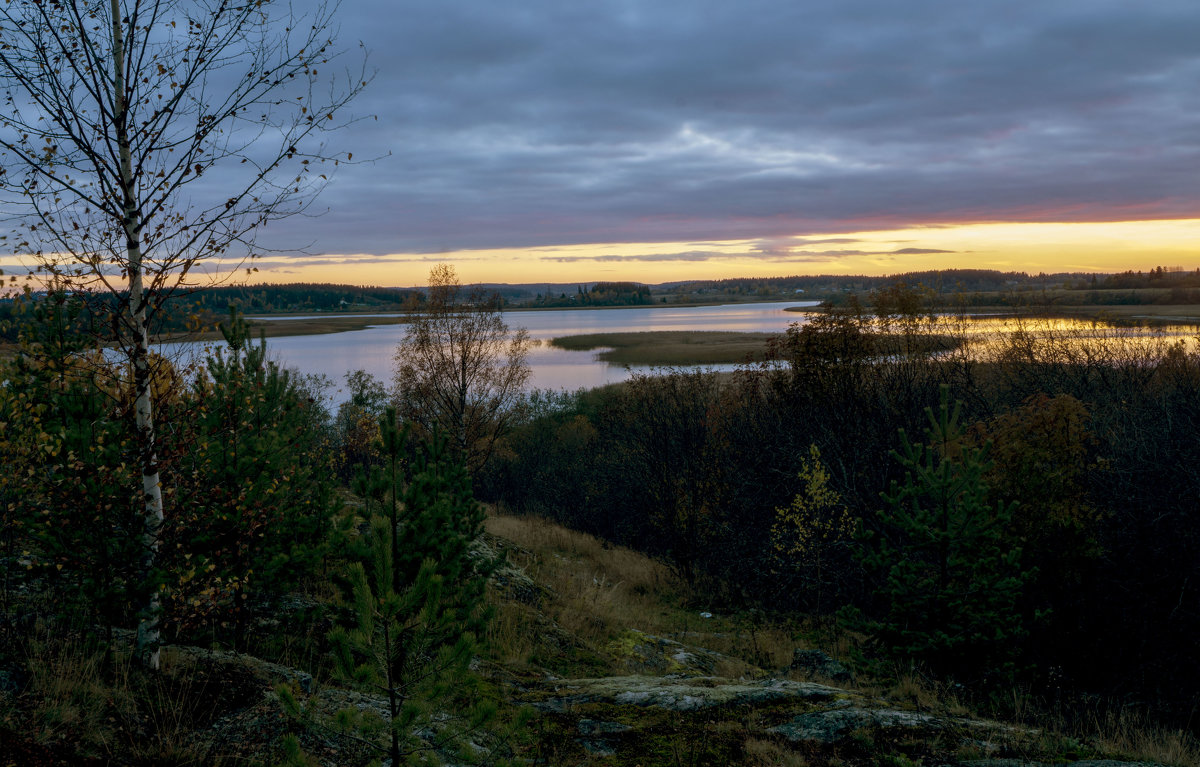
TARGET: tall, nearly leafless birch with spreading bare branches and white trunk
(142,145)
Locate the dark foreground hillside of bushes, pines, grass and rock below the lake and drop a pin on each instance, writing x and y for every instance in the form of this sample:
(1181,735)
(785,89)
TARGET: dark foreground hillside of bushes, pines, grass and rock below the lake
(1006,532)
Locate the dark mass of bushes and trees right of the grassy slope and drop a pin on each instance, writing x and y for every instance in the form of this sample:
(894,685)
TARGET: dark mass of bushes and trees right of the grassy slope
(1024,514)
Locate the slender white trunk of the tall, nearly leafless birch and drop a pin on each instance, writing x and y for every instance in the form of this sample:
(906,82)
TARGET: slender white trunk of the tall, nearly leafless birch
(140,356)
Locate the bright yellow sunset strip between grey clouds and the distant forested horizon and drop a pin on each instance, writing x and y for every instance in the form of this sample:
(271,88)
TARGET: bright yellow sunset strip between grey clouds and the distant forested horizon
(1031,248)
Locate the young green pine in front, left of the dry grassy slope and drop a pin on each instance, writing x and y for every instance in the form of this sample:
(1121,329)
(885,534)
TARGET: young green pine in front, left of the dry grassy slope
(418,602)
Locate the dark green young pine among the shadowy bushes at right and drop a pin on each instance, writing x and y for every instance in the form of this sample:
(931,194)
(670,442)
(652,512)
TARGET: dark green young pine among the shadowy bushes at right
(947,578)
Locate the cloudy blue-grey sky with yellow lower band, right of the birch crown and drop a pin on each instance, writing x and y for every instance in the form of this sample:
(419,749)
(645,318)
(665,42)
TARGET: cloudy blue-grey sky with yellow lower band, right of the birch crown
(655,140)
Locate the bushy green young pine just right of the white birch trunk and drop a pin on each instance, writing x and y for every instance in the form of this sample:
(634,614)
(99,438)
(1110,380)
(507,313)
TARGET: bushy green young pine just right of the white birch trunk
(257,472)
